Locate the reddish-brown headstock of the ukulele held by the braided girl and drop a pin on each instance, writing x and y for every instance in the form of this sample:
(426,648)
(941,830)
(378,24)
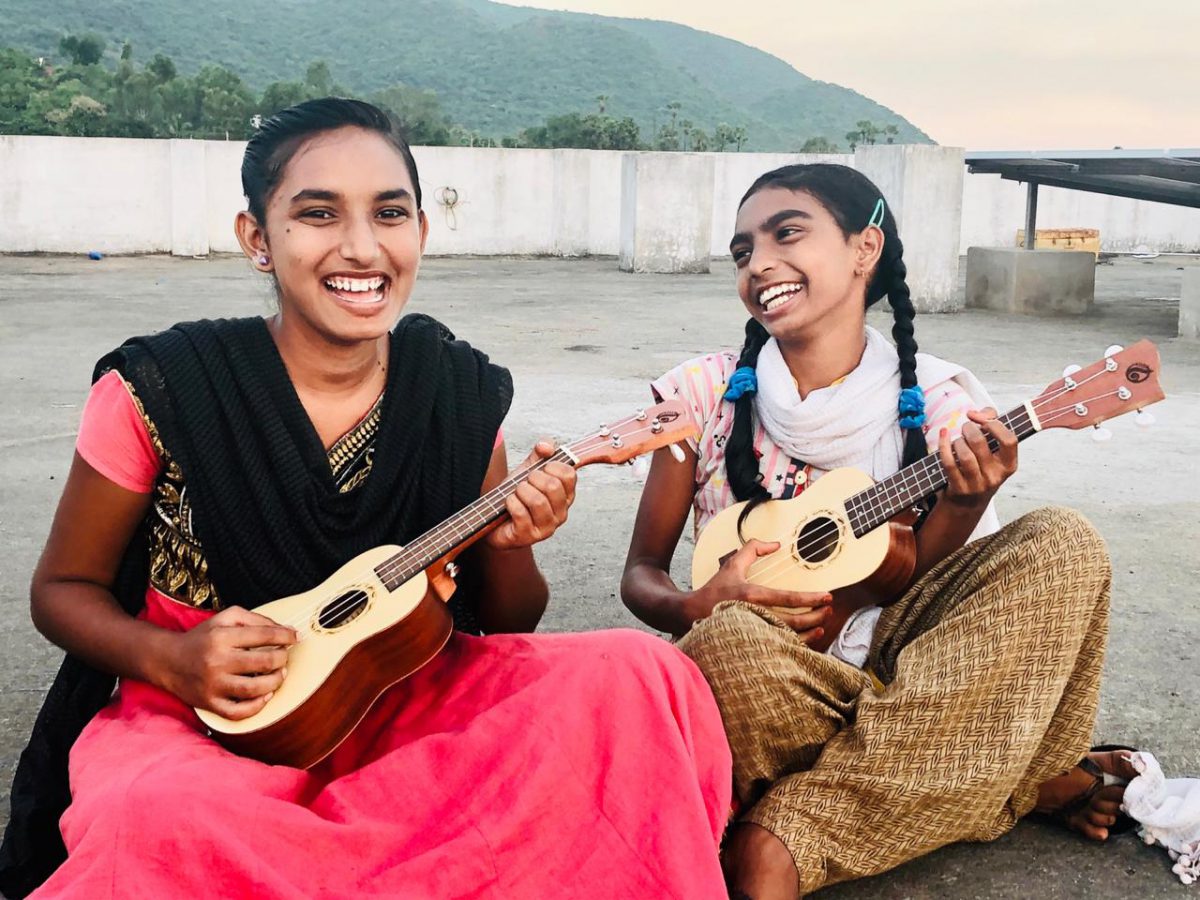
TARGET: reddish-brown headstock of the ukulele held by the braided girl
(1124,382)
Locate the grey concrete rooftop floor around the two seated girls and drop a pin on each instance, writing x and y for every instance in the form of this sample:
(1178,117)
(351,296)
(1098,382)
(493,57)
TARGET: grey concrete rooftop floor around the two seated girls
(583,341)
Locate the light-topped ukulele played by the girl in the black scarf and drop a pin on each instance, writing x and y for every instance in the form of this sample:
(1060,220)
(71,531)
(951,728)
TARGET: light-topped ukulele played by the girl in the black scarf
(383,615)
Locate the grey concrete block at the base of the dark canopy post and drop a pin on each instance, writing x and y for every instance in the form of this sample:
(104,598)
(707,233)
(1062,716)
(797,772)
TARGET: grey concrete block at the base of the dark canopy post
(1031,281)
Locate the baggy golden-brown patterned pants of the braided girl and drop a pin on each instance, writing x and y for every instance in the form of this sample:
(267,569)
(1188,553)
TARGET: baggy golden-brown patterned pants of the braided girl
(987,682)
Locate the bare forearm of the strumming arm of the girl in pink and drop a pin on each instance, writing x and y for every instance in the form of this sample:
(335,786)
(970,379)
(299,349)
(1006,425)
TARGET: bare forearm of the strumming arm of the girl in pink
(87,622)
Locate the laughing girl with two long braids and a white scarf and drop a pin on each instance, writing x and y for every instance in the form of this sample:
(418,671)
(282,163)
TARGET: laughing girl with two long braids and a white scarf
(952,712)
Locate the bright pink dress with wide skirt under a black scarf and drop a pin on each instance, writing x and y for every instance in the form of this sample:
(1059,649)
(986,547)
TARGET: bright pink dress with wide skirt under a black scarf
(513,766)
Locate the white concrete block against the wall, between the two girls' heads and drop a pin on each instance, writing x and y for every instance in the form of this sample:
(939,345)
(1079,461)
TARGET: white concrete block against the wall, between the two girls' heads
(667,213)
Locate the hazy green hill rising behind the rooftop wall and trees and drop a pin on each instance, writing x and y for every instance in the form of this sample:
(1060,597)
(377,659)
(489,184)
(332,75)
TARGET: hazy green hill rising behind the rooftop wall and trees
(496,69)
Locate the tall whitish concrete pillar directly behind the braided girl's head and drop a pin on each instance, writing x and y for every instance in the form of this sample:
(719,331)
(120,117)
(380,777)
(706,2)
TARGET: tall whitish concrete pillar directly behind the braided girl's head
(923,184)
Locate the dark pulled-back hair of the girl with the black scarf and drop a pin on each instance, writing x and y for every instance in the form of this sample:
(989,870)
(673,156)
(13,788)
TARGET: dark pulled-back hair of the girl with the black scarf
(279,139)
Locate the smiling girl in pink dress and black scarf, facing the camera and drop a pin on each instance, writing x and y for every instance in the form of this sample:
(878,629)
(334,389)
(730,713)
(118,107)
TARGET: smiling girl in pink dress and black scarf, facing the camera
(221,465)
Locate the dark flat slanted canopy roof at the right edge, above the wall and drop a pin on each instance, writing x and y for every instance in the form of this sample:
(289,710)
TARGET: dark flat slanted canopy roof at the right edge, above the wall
(1162,176)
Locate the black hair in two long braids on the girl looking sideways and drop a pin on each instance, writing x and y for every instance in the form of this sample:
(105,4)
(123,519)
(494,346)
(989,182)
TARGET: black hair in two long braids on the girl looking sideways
(851,200)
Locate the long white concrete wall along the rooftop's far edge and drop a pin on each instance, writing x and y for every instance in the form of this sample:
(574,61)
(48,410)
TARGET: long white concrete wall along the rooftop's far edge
(122,196)
